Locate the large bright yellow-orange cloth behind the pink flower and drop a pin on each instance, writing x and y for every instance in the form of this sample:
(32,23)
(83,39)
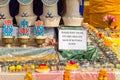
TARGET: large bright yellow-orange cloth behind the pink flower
(100,8)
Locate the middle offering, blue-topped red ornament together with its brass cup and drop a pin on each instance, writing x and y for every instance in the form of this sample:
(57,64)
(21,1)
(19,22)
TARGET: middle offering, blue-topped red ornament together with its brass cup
(24,33)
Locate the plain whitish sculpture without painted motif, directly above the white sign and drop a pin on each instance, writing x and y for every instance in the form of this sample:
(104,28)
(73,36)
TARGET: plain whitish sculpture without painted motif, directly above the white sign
(72,16)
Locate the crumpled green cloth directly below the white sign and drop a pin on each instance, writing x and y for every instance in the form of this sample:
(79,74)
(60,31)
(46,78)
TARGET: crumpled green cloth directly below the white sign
(90,54)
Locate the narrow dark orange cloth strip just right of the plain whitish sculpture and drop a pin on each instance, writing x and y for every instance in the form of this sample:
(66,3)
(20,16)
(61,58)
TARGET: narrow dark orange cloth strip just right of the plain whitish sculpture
(86,12)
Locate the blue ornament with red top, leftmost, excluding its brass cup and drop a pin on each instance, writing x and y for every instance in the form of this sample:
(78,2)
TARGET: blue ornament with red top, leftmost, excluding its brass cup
(8,28)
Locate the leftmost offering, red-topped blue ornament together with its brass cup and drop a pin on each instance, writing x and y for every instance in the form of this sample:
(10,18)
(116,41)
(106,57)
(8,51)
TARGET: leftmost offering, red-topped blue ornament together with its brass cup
(7,38)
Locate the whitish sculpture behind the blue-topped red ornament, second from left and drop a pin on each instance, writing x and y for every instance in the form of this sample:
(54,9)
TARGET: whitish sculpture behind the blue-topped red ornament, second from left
(26,12)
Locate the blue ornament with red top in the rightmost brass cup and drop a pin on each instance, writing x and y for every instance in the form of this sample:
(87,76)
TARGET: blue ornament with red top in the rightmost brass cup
(39,28)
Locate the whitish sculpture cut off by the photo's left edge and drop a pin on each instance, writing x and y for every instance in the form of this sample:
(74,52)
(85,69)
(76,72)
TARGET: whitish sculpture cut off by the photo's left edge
(4,11)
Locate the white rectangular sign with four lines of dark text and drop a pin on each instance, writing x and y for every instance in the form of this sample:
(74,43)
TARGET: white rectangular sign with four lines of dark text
(72,39)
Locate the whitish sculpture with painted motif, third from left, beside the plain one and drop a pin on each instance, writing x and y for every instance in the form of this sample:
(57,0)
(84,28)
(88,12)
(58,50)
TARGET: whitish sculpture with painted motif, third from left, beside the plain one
(50,15)
